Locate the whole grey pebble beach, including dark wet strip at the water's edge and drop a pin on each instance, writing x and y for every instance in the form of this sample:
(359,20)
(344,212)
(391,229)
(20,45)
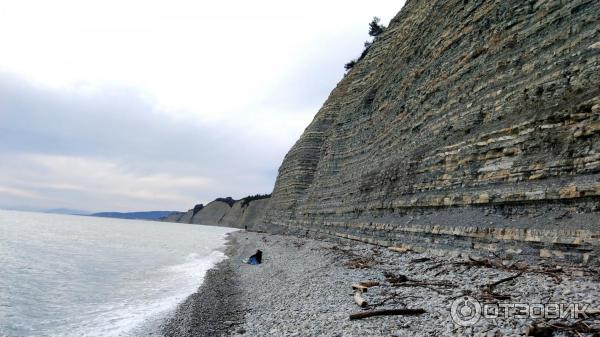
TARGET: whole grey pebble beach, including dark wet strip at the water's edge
(302,288)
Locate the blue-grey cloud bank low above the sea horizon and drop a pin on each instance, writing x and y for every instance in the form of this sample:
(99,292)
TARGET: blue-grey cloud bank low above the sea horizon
(50,139)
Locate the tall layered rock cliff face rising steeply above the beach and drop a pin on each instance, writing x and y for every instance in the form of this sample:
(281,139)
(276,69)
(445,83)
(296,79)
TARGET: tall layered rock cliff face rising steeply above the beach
(469,124)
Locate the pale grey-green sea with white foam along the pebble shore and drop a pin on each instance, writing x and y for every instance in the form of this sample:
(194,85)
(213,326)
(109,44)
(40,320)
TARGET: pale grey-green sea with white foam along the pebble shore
(66,275)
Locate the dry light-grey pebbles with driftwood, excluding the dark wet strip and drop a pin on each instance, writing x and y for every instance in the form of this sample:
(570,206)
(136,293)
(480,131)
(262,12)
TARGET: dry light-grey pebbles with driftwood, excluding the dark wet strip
(303,288)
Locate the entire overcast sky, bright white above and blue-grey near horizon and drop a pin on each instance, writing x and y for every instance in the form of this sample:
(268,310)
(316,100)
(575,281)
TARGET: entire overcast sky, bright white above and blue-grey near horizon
(128,105)
